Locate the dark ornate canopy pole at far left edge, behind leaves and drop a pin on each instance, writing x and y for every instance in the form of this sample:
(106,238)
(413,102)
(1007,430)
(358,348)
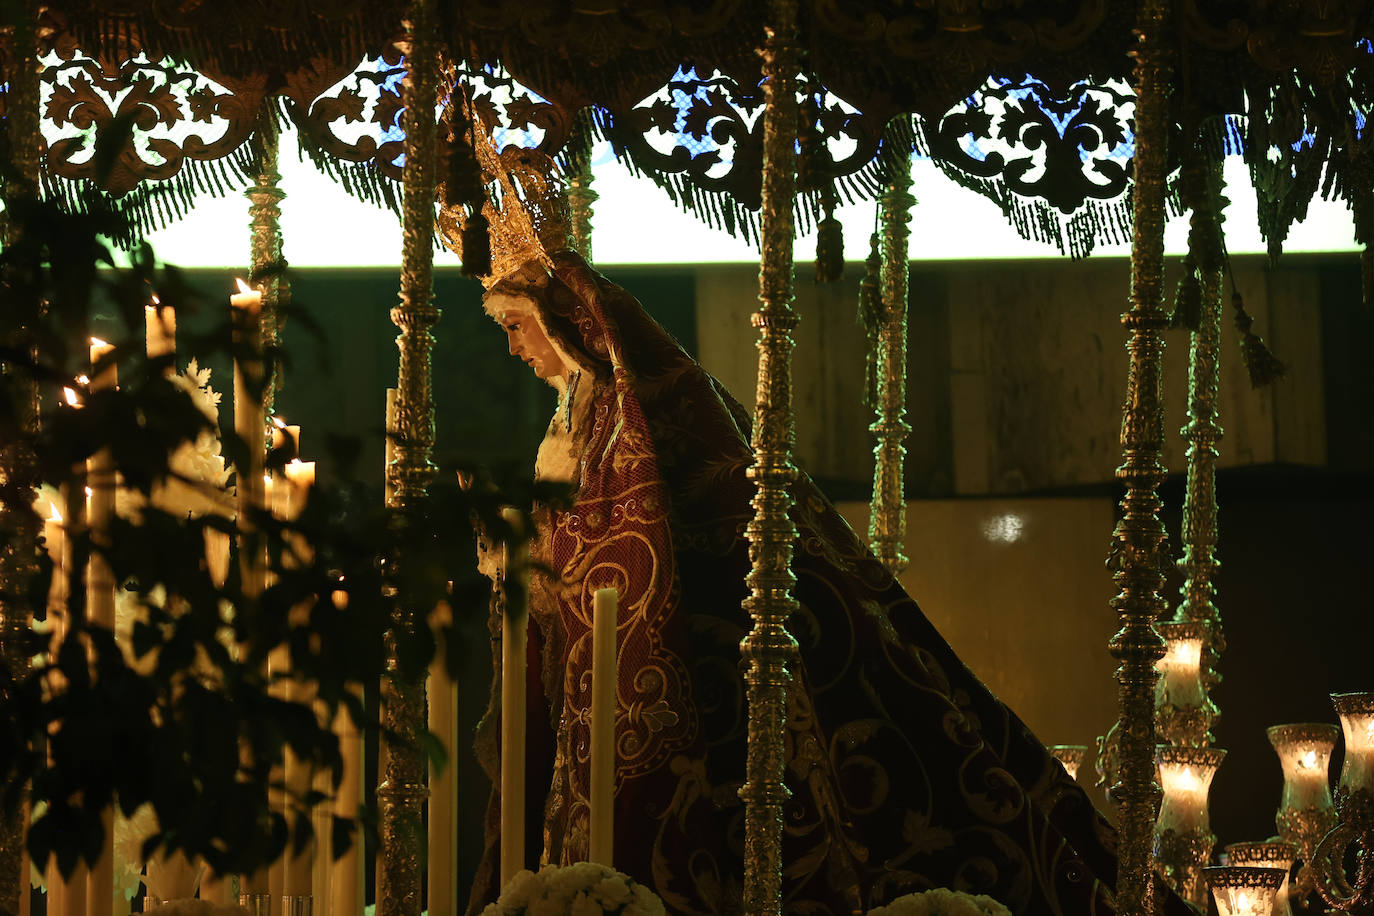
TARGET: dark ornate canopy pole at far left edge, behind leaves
(19,468)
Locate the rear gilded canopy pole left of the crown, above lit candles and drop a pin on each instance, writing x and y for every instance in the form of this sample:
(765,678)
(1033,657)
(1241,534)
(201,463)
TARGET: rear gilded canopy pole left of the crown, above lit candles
(269,267)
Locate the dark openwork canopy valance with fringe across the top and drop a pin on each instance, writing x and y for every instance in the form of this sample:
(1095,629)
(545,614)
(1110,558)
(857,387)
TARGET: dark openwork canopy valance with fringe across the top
(1030,105)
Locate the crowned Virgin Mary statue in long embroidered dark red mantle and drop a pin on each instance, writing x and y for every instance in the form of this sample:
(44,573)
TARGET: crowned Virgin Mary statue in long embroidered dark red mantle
(906,774)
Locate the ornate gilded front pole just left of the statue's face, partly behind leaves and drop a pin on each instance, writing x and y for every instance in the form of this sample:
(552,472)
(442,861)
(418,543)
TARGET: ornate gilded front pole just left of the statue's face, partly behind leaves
(405,788)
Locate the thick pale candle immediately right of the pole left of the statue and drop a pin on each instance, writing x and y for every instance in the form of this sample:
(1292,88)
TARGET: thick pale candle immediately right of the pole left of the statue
(443,801)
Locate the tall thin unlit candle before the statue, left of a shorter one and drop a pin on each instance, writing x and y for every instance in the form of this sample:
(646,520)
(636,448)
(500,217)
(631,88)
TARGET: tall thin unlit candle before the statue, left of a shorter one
(513,709)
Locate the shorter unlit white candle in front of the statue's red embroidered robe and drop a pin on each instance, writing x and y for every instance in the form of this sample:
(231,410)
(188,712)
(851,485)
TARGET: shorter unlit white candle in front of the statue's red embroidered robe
(604,726)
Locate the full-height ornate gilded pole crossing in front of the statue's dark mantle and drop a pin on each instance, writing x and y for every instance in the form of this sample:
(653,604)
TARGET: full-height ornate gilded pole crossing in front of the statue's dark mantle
(769,649)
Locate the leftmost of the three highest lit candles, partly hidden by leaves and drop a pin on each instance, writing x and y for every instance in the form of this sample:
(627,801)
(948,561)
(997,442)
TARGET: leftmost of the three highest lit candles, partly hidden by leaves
(101,602)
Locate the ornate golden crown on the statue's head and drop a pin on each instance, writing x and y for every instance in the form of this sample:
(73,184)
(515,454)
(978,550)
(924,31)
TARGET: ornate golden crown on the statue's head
(527,208)
